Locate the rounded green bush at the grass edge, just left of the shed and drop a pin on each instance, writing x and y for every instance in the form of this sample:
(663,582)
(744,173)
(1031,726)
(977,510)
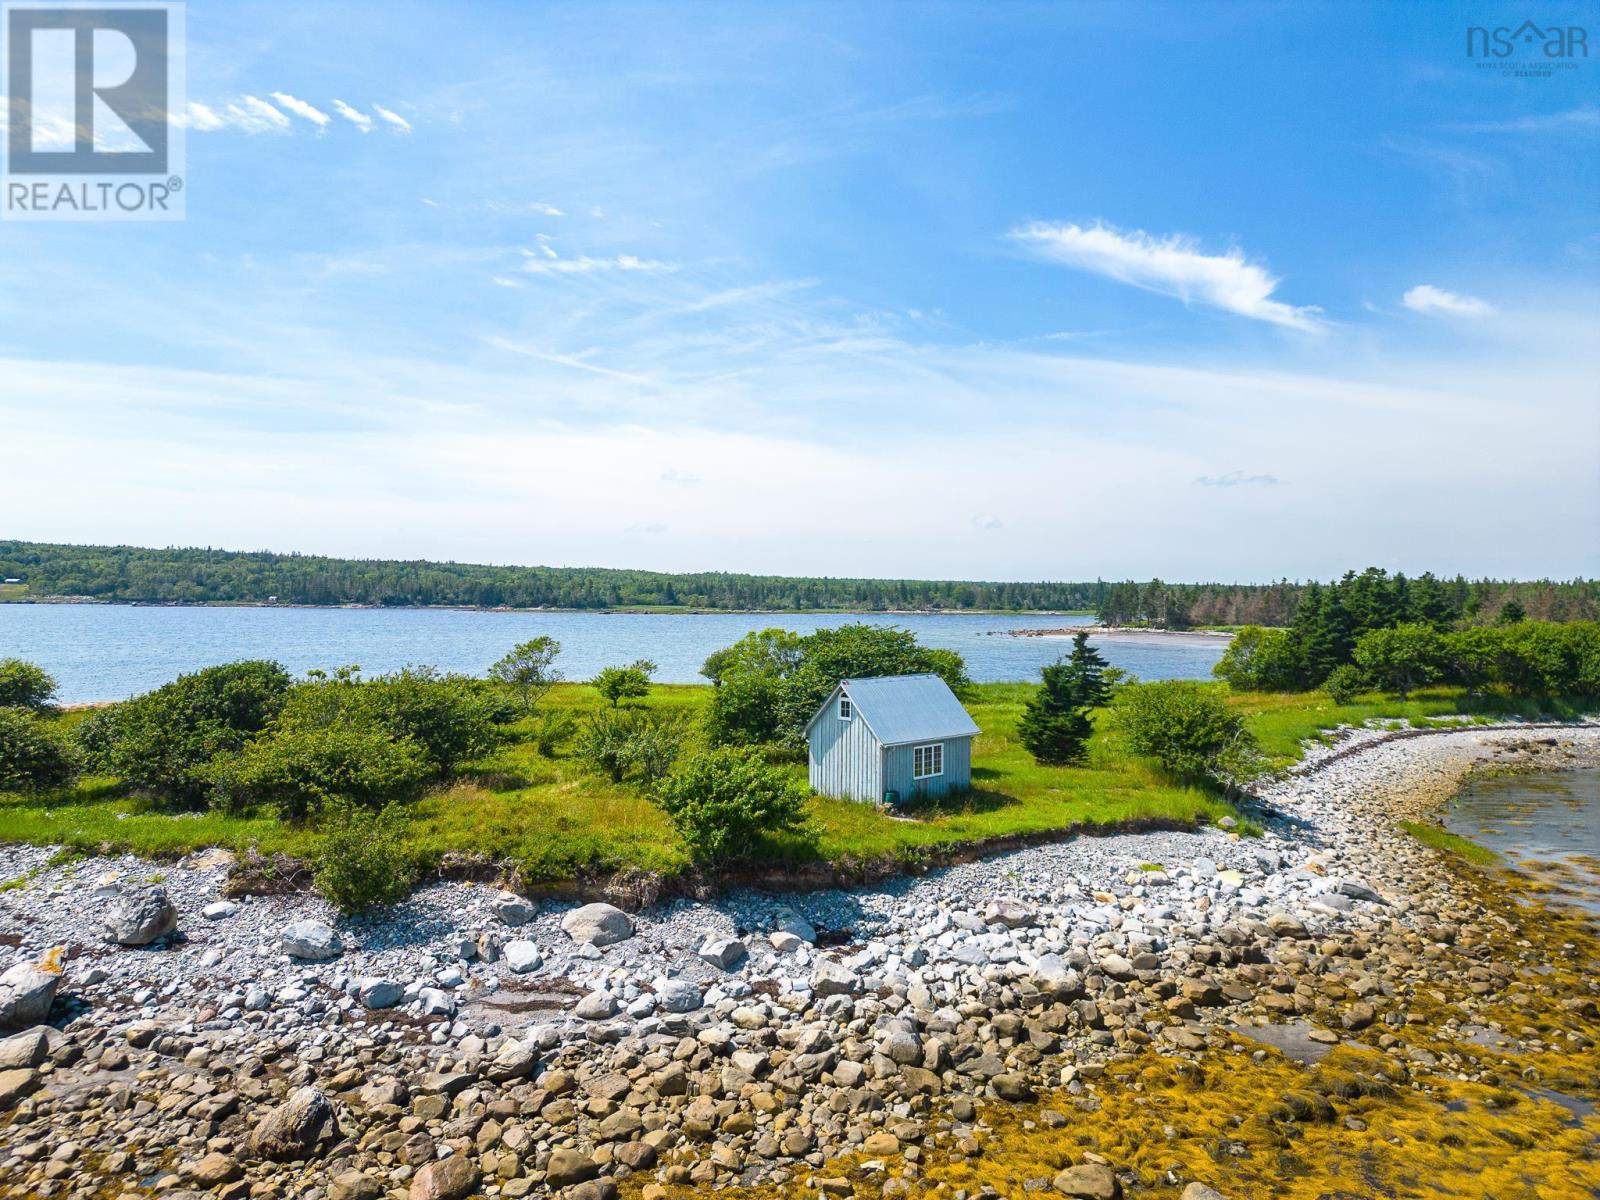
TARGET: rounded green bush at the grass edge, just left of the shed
(727,802)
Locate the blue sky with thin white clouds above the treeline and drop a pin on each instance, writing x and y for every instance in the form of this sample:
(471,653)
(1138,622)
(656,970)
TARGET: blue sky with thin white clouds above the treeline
(994,292)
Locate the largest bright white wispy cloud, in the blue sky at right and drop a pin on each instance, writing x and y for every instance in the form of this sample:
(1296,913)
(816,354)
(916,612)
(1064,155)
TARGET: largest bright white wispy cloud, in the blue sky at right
(1172,266)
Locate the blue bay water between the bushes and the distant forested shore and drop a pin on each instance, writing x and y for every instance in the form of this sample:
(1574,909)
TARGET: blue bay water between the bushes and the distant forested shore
(111,652)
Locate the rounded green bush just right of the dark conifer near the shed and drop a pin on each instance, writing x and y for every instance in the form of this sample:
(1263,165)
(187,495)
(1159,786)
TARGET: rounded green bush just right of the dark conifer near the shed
(1188,730)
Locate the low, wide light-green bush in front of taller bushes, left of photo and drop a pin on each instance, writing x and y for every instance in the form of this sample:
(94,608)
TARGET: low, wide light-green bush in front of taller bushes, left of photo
(298,770)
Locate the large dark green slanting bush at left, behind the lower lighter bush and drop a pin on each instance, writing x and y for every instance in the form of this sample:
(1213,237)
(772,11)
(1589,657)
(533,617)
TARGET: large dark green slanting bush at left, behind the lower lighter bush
(166,740)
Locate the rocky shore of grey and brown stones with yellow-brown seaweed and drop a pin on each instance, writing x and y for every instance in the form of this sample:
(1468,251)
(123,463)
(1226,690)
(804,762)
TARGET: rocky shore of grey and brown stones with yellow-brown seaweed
(1150,1014)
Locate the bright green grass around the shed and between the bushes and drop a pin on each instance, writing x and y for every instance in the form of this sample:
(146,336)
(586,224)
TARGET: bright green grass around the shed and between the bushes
(556,820)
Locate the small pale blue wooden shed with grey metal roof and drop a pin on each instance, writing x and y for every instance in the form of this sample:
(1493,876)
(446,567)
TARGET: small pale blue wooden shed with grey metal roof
(890,740)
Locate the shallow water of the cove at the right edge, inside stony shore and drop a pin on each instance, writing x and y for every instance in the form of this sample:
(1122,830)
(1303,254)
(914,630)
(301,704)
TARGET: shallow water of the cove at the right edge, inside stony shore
(1546,823)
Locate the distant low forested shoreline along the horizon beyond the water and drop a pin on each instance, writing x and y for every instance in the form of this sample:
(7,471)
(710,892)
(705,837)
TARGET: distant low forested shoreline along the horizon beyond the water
(230,577)
